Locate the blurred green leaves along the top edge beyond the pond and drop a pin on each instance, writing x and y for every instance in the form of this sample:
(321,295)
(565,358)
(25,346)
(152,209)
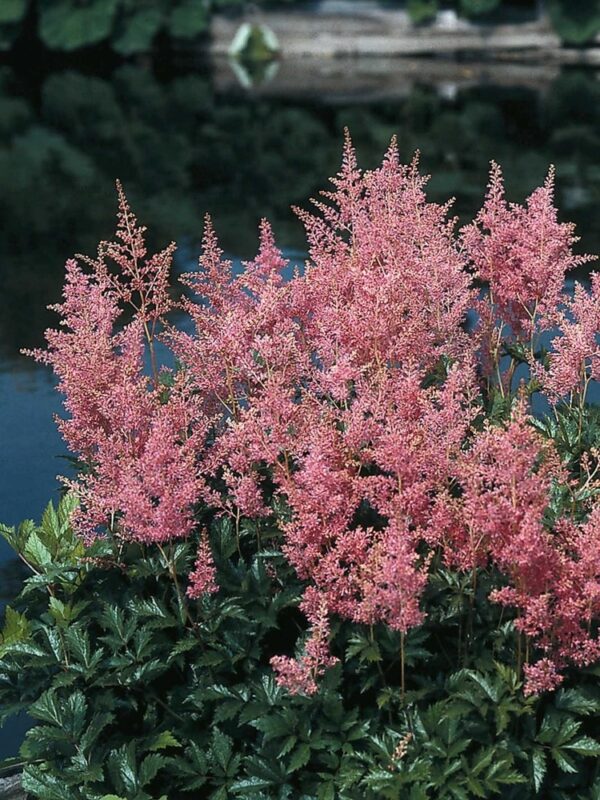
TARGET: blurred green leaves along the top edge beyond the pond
(132,26)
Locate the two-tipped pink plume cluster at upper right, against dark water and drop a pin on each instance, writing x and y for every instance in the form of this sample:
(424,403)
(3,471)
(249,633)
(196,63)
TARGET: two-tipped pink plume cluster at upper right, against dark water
(523,253)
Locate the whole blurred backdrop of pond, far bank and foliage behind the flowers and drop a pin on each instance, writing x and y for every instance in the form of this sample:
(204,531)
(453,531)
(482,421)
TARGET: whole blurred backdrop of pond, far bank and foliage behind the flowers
(239,110)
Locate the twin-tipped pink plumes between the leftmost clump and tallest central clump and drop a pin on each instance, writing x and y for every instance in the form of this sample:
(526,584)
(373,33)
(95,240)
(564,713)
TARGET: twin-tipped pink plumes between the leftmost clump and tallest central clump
(242,360)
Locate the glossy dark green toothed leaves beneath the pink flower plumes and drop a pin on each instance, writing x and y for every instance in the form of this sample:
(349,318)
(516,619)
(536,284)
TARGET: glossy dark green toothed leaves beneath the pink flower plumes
(138,693)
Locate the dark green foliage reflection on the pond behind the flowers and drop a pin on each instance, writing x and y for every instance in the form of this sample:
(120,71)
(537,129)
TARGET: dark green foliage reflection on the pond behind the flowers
(182,149)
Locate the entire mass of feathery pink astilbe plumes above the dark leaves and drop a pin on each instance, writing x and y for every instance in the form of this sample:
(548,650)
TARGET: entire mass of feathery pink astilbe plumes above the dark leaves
(358,386)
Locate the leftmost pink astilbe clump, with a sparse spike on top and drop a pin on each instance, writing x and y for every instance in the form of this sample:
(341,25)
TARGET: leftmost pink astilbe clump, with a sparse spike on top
(141,479)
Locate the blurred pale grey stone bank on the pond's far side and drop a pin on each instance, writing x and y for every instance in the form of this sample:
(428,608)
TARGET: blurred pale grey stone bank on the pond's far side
(347,28)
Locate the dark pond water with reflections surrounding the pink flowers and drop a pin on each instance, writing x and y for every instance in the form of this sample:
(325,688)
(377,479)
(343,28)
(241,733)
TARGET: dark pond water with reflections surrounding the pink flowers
(186,141)
